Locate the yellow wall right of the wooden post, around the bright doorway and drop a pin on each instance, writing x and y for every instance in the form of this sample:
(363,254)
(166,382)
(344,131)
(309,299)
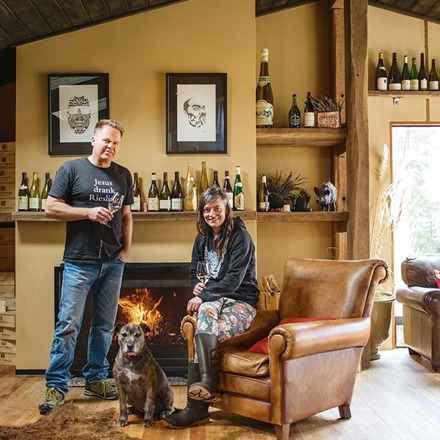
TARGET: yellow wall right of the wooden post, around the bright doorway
(381,111)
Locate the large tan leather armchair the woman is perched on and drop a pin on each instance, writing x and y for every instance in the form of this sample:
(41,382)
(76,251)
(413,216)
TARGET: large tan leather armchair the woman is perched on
(311,366)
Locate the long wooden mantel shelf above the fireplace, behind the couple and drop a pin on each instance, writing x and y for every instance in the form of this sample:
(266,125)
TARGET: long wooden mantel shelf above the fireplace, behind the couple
(23,216)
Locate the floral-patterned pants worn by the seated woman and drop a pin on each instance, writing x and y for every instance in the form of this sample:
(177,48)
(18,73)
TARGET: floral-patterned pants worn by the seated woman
(225,317)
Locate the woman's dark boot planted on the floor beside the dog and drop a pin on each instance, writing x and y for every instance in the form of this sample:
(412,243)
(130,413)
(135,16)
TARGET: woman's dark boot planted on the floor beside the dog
(196,411)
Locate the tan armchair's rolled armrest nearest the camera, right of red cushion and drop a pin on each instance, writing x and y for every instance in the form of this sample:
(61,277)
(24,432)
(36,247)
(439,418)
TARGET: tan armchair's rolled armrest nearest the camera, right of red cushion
(290,341)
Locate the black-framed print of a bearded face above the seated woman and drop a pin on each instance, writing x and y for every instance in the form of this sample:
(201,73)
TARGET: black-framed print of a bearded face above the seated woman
(196,113)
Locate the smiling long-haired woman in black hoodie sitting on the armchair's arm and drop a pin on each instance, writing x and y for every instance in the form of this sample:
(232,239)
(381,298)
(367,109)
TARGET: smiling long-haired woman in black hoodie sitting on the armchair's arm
(225,305)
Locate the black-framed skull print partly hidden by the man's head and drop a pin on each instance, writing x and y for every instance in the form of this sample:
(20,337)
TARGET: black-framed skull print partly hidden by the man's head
(76,103)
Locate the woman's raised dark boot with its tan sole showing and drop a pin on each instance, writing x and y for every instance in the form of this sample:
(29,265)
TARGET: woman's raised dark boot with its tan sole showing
(207,353)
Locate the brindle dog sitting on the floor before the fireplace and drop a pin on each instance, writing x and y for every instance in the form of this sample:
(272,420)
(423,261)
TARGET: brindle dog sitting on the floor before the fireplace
(140,381)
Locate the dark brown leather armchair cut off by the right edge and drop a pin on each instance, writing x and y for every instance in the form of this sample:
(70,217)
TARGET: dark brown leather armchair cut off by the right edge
(421,307)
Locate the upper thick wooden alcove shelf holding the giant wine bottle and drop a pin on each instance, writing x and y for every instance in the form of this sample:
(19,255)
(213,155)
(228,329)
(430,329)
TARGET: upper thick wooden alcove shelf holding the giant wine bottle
(301,137)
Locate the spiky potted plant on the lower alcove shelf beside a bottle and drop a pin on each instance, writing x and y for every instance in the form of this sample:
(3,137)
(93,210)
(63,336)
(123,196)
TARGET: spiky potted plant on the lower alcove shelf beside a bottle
(281,188)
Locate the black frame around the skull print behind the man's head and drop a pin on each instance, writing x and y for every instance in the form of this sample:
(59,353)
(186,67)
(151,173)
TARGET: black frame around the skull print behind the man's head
(99,110)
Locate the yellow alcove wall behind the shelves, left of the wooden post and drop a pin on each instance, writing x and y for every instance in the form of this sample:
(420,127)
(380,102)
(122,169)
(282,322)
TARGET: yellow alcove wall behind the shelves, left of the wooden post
(298,44)
